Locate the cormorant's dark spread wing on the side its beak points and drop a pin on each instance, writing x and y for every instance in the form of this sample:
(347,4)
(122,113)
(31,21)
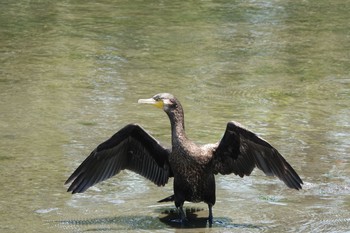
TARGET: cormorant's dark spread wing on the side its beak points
(130,148)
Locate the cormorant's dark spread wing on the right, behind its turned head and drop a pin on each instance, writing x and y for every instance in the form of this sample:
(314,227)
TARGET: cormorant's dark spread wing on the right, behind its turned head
(240,150)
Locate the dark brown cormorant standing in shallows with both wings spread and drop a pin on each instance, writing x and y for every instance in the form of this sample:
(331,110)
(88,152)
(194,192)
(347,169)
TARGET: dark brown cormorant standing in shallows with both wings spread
(192,166)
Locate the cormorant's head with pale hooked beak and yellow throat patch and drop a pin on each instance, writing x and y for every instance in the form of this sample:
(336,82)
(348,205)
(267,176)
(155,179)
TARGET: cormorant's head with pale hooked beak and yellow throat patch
(165,101)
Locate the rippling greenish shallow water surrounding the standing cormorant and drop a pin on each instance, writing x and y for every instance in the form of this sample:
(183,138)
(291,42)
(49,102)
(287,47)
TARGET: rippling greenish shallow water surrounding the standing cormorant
(71,74)
